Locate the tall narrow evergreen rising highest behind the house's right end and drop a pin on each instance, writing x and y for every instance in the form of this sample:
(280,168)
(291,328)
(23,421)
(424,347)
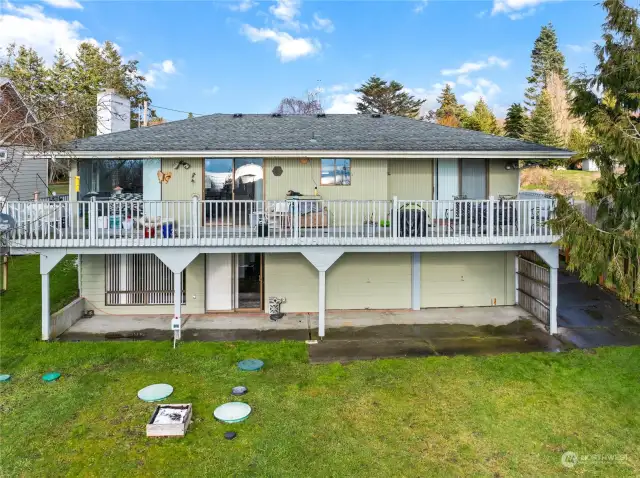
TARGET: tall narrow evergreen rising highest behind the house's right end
(546,58)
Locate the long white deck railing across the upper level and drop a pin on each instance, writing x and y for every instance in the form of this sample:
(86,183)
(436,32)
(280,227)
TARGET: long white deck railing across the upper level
(111,224)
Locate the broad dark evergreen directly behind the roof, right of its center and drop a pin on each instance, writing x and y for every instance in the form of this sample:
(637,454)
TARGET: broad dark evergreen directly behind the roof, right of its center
(382,97)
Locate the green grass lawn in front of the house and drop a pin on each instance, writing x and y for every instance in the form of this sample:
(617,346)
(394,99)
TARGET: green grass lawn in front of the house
(508,415)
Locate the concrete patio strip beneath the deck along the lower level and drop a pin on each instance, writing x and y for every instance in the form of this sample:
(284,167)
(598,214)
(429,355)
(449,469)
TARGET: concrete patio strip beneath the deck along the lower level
(258,326)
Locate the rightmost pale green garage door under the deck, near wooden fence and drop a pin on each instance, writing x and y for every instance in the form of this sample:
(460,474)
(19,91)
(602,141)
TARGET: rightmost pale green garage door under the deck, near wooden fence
(467,279)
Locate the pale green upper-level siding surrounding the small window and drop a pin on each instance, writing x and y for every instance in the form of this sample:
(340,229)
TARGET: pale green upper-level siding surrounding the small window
(368,179)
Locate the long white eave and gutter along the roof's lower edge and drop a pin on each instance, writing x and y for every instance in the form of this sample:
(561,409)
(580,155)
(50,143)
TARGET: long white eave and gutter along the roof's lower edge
(314,154)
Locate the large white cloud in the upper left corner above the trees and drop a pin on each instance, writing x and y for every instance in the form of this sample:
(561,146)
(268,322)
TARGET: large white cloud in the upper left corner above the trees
(28,25)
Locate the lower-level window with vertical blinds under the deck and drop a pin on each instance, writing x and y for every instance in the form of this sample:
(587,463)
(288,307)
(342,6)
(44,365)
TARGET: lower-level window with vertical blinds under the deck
(139,279)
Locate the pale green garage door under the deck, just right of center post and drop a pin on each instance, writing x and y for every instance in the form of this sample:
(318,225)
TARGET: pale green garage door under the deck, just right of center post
(370,281)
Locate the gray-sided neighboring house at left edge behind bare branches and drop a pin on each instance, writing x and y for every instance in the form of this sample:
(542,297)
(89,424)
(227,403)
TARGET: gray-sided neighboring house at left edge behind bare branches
(20,176)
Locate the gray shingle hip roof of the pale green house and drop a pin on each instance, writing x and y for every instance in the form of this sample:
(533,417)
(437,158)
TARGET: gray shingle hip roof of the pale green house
(221,132)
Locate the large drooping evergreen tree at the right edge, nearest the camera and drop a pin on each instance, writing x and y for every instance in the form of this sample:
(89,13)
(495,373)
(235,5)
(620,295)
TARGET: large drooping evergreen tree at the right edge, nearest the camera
(608,102)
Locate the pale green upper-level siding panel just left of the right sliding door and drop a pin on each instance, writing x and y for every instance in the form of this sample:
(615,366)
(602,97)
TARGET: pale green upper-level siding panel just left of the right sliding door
(410,179)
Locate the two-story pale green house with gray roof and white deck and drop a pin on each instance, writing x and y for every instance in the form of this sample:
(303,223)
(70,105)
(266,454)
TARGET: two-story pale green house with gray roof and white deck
(197,216)
